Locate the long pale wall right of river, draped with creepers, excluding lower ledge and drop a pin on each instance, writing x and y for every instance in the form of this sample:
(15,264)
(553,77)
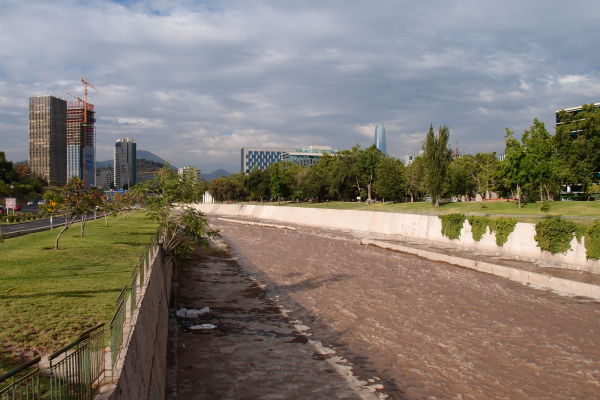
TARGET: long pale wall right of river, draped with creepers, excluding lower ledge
(520,245)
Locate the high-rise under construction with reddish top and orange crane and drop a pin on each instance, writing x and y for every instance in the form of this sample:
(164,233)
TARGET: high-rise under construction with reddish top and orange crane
(81,142)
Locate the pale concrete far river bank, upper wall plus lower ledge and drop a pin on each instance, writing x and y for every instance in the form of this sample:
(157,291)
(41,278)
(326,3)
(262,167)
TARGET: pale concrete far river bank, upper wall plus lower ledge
(521,244)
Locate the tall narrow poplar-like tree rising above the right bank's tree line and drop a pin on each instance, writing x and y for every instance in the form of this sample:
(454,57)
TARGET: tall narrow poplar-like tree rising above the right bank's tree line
(437,157)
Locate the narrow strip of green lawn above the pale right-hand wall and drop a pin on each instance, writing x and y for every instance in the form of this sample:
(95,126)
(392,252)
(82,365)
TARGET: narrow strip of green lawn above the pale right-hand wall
(570,208)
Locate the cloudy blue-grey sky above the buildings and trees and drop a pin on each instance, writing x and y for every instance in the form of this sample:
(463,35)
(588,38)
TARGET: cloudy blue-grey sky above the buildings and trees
(194,81)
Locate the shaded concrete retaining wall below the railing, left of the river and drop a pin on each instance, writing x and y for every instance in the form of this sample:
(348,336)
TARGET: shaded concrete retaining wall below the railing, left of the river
(142,365)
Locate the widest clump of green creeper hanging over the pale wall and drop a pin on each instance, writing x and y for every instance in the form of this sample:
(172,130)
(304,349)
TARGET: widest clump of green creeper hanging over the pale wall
(554,234)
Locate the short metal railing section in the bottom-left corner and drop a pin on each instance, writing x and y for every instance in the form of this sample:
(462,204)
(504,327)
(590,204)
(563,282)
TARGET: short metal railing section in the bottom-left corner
(22,383)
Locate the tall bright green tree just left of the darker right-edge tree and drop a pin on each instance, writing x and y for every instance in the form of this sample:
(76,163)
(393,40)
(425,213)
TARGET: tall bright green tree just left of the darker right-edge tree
(539,160)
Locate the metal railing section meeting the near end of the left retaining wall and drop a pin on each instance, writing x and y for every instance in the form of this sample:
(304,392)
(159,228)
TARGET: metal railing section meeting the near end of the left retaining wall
(77,368)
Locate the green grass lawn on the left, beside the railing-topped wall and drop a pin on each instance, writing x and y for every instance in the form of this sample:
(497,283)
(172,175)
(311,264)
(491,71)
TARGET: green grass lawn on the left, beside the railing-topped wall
(48,297)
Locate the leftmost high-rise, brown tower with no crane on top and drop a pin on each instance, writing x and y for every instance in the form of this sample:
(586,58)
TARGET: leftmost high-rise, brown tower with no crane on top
(47,138)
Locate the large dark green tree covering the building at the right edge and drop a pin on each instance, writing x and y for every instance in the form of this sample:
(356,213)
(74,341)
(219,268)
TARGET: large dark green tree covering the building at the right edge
(577,142)
